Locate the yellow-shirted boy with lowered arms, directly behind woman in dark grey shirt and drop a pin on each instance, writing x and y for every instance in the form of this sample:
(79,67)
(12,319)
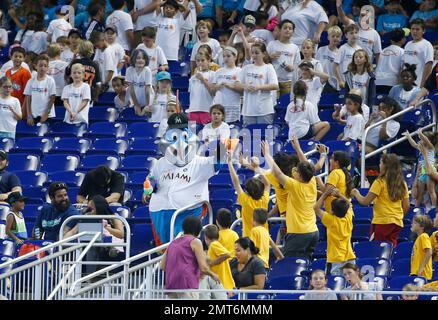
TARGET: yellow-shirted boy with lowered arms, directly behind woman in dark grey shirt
(261,238)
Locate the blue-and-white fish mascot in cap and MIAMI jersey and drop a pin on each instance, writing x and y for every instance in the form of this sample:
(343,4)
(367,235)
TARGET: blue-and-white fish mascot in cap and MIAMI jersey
(179,178)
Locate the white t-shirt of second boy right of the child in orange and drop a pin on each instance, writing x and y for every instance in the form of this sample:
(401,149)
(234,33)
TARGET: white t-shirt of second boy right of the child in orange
(75,96)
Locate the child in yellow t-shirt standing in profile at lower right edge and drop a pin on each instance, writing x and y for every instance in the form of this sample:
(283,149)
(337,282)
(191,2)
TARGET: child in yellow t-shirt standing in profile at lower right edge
(421,262)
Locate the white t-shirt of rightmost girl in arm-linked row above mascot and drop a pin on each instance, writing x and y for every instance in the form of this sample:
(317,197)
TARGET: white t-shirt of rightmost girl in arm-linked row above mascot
(258,103)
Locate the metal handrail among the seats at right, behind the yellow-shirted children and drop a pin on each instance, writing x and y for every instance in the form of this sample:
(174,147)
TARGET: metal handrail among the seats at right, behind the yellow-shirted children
(365,156)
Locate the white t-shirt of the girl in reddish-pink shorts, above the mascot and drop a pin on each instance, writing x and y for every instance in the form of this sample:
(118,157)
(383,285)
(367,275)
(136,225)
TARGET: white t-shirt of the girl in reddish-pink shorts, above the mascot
(200,98)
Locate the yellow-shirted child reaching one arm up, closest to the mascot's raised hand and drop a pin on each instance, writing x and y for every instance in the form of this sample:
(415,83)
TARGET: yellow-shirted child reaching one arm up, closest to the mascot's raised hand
(256,196)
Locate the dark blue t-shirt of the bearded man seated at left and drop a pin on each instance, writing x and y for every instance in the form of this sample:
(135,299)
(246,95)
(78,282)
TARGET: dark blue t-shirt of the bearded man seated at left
(49,220)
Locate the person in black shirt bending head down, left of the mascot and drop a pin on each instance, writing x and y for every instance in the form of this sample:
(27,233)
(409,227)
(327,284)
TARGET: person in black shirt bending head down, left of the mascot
(102,181)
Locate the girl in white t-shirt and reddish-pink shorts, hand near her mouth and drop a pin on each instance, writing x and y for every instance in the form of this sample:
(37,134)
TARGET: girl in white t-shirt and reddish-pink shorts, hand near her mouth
(201,90)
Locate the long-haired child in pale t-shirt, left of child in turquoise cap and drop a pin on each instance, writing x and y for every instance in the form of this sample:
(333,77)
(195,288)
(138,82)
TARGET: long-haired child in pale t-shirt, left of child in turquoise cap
(139,77)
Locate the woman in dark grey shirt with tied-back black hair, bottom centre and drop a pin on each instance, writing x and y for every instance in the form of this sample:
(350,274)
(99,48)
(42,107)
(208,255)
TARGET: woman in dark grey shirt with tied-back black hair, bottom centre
(248,270)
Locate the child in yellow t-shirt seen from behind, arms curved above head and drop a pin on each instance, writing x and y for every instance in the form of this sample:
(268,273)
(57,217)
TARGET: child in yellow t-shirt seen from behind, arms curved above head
(339,224)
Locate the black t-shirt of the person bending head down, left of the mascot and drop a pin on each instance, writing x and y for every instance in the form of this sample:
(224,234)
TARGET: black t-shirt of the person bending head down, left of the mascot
(89,189)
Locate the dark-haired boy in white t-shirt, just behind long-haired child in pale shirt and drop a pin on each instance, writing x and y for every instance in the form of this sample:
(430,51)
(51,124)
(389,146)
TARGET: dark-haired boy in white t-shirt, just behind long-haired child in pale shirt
(157,58)
